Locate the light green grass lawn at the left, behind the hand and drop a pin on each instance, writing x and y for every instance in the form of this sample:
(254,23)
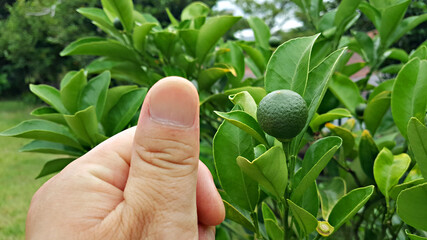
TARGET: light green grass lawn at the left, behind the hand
(17,172)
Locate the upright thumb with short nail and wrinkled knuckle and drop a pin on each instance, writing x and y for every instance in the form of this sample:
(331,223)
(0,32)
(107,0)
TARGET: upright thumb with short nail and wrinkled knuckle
(161,186)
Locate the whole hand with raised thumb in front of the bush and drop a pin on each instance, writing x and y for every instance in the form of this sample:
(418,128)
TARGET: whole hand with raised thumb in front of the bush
(144,183)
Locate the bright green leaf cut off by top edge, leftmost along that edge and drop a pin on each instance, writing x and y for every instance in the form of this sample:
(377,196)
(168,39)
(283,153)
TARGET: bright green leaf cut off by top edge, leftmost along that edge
(123,9)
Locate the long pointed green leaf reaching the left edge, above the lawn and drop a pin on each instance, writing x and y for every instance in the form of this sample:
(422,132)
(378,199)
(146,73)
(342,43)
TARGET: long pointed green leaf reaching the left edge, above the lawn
(43,130)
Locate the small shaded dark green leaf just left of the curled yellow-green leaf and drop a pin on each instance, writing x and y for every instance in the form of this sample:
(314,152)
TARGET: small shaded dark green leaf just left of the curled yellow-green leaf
(368,152)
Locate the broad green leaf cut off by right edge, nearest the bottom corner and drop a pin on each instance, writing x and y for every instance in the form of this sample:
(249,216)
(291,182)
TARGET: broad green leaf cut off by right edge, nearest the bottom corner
(411,206)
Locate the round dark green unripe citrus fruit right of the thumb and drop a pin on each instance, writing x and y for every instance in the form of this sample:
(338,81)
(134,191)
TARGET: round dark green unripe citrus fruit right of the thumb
(282,114)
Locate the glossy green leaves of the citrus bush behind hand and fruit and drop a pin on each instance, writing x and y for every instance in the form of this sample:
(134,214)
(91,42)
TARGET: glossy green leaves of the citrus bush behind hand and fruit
(359,164)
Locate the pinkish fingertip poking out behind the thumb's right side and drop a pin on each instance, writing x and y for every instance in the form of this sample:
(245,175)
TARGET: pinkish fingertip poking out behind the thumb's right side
(210,209)
